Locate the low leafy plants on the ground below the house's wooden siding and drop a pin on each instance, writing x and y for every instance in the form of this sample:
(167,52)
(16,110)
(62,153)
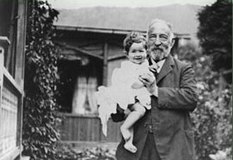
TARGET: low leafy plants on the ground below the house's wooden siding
(66,152)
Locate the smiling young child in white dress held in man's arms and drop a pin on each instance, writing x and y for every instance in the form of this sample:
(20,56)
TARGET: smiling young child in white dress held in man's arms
(126,89)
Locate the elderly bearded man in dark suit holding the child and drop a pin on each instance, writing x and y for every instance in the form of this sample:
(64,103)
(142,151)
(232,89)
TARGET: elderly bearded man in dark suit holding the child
(165,132)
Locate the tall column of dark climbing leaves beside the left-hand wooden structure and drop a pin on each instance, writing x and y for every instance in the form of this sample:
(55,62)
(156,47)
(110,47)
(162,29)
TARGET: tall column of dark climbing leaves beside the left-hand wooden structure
(39,133)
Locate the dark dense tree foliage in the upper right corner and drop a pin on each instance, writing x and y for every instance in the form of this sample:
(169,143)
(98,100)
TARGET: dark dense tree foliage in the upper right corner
(215,34)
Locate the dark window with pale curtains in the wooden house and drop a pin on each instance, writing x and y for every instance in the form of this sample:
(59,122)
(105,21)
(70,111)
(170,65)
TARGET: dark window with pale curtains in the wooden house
(78,84)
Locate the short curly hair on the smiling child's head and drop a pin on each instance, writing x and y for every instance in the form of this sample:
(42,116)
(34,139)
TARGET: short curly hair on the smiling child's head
(134,37)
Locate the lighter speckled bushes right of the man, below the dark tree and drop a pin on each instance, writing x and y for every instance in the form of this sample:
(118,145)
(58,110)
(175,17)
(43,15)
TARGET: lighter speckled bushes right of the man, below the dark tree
(212,118)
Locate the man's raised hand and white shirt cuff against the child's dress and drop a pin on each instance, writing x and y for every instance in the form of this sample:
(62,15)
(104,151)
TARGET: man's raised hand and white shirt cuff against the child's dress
(150,82)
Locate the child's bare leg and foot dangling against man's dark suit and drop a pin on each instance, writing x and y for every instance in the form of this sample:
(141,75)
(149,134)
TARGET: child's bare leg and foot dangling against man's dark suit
(137,112)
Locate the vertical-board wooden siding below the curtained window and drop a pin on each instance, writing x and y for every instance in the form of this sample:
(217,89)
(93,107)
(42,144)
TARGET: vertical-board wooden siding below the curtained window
(77,128)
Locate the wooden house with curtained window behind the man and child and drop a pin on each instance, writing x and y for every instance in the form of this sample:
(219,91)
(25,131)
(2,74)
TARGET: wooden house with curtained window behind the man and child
(88,57)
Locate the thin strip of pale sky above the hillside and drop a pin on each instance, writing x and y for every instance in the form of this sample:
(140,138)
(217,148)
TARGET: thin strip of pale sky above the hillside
(73,4)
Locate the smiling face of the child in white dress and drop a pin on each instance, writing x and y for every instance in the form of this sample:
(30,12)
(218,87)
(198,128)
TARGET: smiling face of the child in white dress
(137,53)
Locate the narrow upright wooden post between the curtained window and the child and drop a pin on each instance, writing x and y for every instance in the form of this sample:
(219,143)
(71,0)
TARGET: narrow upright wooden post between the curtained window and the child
(105,64)
